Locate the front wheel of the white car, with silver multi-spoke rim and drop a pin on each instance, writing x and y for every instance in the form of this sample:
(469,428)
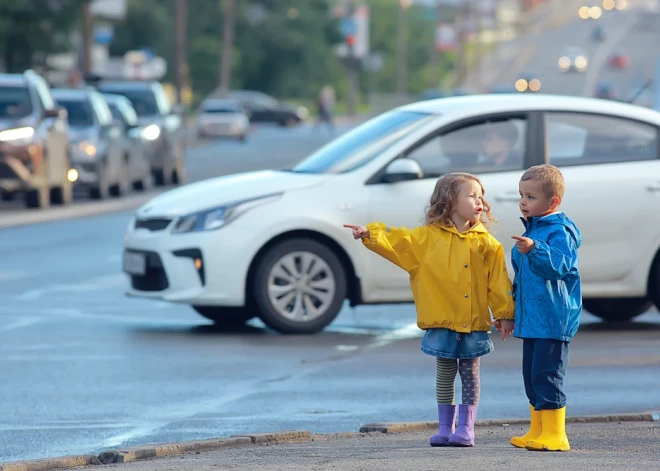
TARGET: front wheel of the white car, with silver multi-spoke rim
(299,287)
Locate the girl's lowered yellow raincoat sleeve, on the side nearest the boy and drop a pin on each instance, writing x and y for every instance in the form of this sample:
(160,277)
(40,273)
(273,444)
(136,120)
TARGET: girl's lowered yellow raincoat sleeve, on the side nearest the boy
(500,295)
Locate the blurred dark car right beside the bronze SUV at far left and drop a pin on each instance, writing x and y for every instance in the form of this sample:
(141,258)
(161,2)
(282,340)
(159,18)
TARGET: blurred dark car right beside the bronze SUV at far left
(96,143)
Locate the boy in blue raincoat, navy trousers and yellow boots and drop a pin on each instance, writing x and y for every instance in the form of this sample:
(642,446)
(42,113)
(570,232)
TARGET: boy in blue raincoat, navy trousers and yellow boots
(548,299)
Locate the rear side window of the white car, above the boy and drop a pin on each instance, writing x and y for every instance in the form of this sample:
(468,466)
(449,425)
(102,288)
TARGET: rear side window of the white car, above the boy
(584,139)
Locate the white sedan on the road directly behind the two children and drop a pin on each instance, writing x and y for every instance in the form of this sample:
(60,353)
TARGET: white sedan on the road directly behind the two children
(271,243)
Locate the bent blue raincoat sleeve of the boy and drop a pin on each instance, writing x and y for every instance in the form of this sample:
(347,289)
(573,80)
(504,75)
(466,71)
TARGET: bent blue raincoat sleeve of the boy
(554,259)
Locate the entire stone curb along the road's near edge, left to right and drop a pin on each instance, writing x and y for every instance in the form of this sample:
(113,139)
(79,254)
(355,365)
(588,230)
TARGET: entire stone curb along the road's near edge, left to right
(140,453)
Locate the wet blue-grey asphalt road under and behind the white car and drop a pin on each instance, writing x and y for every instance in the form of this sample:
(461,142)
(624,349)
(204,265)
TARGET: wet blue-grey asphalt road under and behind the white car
(83,368)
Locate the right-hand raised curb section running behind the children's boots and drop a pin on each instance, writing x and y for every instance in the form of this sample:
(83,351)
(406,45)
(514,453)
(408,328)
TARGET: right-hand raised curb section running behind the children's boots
(399,427)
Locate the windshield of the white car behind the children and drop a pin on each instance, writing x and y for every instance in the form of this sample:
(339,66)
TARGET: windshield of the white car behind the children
(364,143)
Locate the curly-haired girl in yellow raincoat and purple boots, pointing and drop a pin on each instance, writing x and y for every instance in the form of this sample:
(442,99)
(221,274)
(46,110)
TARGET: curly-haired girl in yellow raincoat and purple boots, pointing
(457,272)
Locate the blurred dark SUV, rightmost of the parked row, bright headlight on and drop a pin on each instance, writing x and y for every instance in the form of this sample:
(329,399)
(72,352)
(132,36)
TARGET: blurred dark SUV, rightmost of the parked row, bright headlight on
(162,126)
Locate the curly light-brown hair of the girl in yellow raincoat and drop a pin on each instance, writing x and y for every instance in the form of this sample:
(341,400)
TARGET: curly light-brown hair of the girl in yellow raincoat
(443,199)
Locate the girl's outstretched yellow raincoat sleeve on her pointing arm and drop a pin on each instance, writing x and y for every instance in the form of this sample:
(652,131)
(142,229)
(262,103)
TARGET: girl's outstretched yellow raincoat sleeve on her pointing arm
(403,247)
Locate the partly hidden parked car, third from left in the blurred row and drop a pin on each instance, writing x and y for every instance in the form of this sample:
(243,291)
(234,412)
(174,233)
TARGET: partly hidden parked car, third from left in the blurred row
(135,145)
